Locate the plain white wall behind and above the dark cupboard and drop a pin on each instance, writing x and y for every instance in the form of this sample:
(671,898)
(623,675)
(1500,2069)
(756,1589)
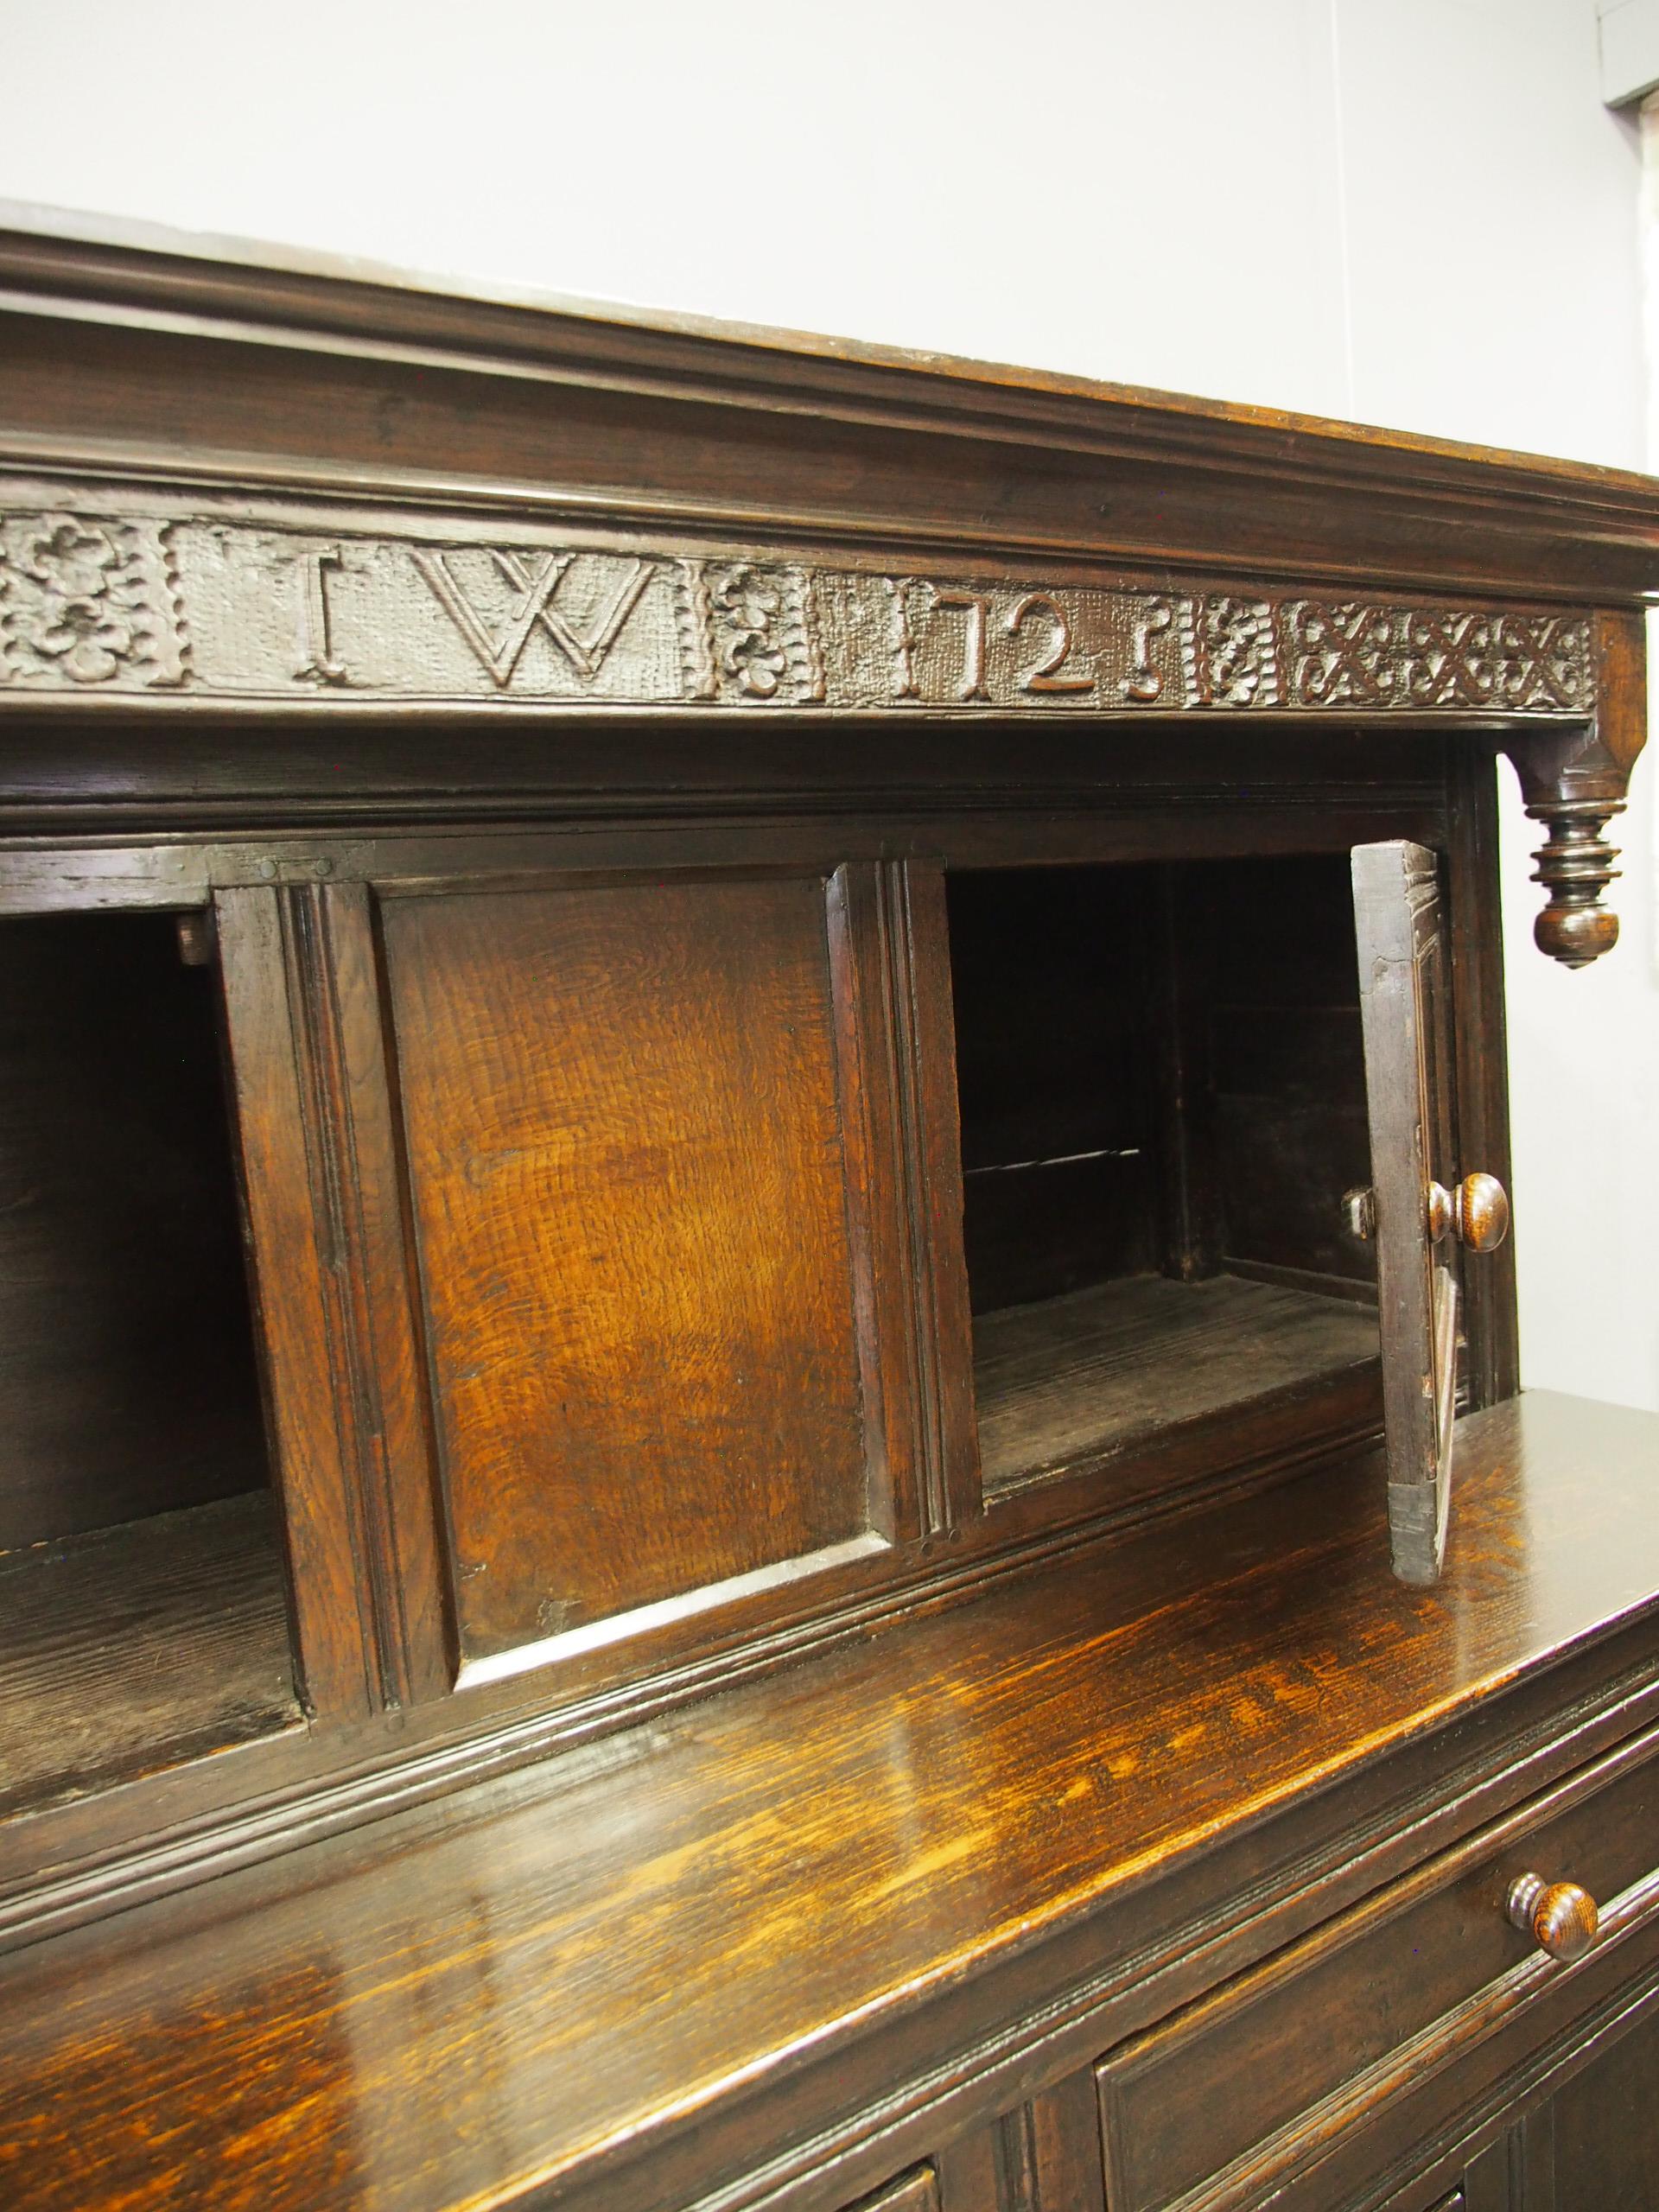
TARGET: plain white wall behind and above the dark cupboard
(1406,211)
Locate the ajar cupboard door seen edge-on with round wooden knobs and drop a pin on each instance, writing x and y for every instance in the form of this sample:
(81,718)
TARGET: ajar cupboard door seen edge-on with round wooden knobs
(1417,1207)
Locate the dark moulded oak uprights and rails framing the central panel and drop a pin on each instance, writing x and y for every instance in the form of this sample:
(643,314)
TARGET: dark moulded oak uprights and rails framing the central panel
(340,1350)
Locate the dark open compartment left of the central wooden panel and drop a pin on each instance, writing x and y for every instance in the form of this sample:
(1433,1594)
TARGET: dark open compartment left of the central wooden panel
(143,1594)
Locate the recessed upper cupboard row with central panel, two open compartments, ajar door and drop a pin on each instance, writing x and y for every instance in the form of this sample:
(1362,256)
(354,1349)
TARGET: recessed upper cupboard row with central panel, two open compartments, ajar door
(656,1204)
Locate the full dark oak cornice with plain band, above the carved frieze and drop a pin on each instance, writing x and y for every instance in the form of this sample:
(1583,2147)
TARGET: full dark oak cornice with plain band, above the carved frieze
(494,388)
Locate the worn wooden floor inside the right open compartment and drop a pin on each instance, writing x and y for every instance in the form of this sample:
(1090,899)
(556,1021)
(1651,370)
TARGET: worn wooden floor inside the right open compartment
(1076,1379)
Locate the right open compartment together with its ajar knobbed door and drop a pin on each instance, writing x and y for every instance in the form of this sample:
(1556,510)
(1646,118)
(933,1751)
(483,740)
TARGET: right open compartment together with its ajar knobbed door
(1209,1191)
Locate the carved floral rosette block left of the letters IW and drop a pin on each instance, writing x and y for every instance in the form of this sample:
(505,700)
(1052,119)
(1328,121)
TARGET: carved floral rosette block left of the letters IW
(87,603)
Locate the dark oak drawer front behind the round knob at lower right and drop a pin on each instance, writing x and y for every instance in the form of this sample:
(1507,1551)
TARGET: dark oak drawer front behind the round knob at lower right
(1229,2098)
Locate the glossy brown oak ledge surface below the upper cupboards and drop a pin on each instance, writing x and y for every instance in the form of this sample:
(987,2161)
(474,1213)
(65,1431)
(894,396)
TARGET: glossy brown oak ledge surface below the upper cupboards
(1085,1753)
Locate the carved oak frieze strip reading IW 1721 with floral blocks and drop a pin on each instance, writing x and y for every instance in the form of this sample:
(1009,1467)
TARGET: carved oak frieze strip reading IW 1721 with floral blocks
(105,603)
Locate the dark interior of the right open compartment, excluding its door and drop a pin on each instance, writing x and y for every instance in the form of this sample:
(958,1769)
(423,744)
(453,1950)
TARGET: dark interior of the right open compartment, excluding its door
(1162,1094)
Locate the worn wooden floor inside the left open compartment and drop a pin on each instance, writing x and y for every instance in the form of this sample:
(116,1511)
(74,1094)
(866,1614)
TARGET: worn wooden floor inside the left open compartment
(140,1647)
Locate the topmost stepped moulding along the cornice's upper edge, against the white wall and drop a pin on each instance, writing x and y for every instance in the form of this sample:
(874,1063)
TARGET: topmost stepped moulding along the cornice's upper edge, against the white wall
(238,295)
